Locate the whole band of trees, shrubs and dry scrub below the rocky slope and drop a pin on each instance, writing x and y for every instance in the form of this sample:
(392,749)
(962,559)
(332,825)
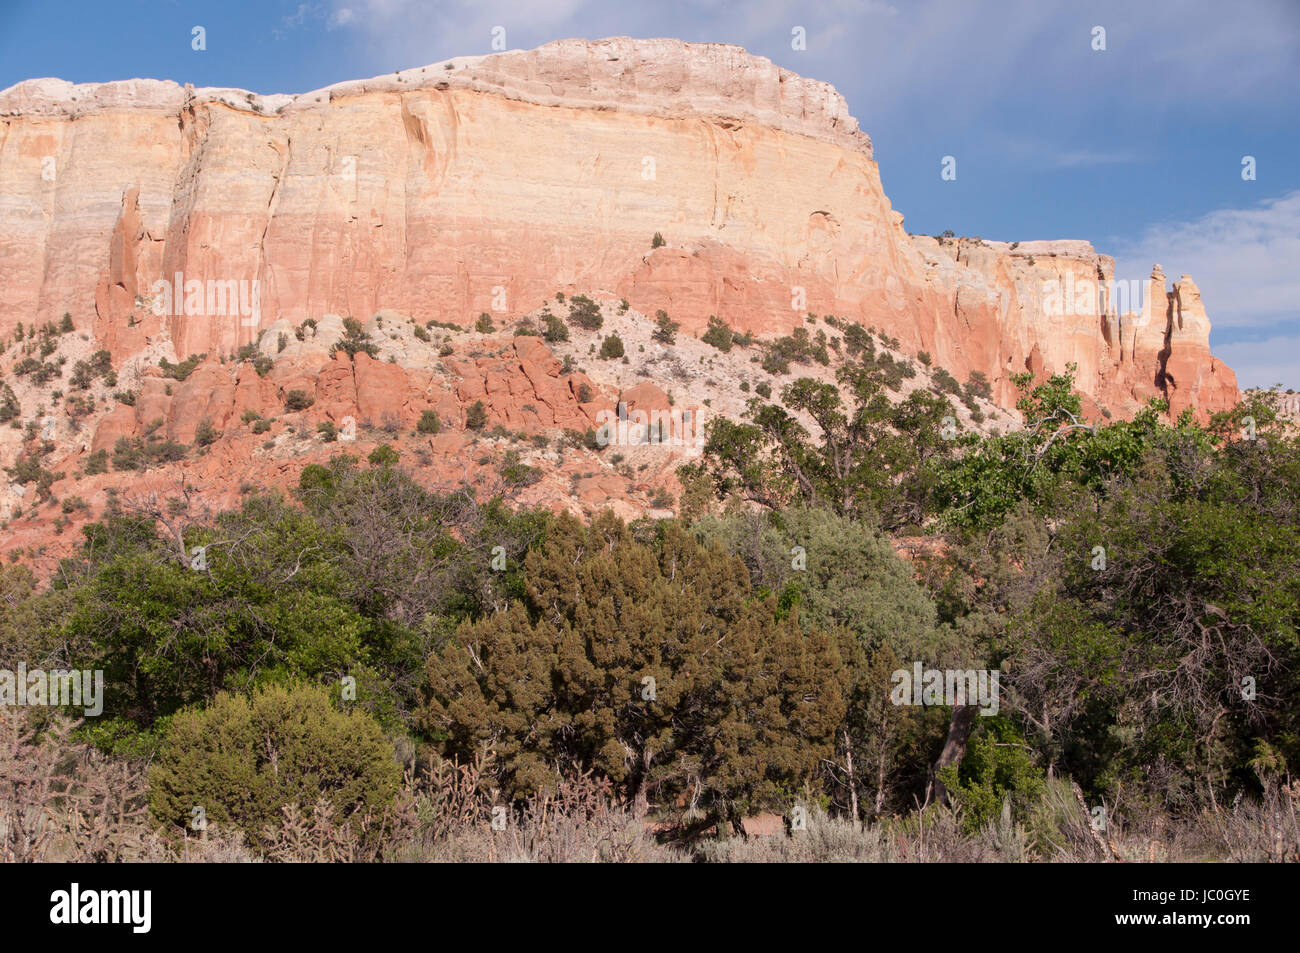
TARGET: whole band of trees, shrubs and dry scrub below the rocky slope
(367,670)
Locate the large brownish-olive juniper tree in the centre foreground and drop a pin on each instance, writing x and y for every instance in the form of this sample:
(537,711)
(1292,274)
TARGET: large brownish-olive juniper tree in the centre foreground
(652,662)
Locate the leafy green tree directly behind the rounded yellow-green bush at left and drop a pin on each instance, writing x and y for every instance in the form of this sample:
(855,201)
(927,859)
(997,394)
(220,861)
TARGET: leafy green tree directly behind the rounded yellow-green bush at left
(174,618)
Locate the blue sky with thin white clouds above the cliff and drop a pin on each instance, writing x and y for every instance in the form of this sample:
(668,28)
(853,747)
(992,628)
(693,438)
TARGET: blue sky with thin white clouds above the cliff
(1137,149)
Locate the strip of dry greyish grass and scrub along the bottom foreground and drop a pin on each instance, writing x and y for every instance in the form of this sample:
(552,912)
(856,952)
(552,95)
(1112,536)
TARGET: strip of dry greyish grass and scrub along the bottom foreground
(64,802)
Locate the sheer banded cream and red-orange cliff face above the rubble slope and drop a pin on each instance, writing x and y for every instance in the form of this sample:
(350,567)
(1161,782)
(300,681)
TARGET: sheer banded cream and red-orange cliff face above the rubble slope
(489,184)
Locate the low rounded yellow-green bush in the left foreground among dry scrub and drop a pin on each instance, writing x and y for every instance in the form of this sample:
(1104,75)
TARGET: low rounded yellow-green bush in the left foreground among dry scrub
(242,760)
